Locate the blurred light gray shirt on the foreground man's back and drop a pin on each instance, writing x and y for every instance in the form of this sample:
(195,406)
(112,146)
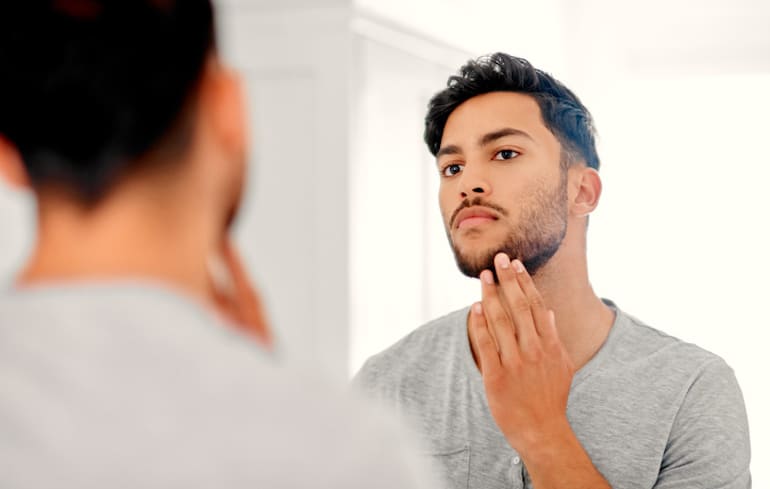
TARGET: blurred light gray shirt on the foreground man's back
(133,386)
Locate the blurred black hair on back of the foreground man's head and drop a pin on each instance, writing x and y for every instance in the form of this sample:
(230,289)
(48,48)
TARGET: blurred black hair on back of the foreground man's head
(89,87)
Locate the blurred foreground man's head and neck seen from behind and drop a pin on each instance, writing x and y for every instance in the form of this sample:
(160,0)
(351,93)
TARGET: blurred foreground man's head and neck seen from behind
(129,130)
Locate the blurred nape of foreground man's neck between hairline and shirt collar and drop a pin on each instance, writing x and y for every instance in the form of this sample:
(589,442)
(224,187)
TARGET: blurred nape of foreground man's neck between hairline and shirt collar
(121,238)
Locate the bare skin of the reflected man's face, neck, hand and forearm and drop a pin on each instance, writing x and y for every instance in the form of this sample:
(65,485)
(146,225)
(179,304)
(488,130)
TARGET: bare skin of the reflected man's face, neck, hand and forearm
(529,333)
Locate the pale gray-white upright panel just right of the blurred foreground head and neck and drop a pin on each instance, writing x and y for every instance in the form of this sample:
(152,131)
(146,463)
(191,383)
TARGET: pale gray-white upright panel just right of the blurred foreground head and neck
(293,229)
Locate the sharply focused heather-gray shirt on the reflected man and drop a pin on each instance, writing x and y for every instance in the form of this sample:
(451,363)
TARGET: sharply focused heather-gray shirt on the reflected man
(650,410)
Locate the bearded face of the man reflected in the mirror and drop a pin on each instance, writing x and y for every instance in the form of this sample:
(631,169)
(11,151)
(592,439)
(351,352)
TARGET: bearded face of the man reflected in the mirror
(502,188)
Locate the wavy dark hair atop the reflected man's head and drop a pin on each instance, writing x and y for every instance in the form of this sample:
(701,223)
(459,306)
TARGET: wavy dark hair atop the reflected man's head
(562,112)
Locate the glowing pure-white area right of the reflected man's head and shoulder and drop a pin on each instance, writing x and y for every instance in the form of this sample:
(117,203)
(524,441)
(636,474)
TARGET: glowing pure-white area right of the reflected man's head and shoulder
(681,238)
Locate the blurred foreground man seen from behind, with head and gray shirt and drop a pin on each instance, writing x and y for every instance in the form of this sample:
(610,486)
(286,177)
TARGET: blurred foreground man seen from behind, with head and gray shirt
(116,370)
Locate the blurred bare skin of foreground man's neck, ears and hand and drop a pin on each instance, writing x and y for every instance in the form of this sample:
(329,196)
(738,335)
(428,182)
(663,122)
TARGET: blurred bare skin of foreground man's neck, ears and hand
(161,224)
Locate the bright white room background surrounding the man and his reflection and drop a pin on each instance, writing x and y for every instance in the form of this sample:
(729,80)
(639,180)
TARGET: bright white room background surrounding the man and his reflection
(341,227)
